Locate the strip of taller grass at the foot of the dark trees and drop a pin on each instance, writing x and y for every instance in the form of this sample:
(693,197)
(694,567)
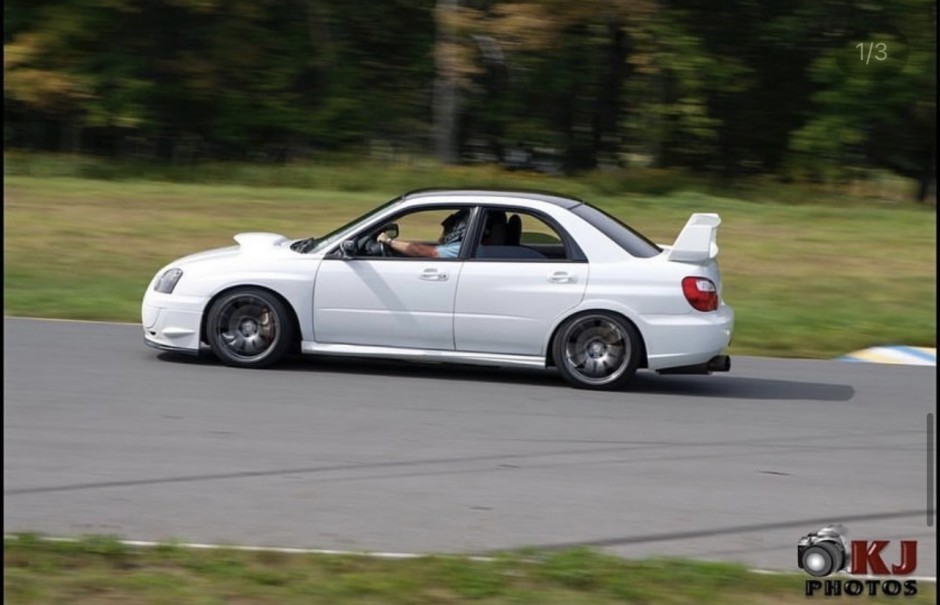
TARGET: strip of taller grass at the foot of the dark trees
(403,173)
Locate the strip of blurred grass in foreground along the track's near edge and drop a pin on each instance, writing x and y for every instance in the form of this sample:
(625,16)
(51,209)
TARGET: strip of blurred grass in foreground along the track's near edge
(99,570)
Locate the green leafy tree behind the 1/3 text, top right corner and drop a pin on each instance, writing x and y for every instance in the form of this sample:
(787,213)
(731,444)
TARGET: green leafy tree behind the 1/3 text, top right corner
(881,112)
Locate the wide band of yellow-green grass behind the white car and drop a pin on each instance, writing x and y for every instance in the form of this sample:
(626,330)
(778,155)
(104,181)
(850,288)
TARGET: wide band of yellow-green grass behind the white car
(810,272)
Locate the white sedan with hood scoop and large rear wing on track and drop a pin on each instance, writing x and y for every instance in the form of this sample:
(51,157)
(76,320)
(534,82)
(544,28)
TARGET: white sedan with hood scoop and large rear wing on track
(515,279)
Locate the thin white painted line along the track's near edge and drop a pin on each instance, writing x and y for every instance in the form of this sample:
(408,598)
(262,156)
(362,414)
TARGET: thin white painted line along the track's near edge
(377,555)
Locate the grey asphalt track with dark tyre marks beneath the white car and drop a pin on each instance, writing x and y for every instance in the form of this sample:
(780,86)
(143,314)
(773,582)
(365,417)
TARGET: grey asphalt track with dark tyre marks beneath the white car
(103,435)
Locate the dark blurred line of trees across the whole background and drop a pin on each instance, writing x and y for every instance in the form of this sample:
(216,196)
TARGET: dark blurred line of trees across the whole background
(798,88)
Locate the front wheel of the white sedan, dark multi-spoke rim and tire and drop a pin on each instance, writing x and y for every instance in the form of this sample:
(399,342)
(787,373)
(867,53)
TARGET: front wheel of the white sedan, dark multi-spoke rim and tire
(249,328)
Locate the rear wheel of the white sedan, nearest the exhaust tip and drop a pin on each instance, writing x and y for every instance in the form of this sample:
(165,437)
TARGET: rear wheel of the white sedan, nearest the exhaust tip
(597,350)
